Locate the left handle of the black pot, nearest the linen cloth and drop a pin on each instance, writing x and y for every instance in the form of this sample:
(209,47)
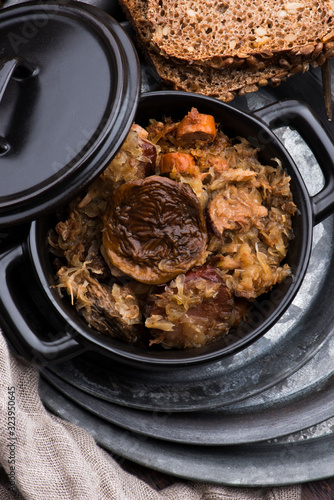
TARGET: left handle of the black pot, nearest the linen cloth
(15,320)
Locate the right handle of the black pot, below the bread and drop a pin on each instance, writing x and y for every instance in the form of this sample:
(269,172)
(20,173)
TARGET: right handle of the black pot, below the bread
(298,114)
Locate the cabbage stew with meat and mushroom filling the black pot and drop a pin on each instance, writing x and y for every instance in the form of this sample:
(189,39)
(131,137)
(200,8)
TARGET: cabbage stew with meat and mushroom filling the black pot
(184,229)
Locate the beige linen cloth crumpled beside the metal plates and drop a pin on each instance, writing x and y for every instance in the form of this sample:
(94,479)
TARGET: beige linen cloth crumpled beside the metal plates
(57,460)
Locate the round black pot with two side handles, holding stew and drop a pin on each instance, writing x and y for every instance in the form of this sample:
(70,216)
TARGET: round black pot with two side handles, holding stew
(70,335)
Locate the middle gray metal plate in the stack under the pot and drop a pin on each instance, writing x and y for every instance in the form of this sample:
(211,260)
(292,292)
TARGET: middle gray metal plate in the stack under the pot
(300,401)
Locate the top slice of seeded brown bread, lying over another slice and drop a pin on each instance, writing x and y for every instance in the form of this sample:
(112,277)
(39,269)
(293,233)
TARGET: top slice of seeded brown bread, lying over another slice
(251,32)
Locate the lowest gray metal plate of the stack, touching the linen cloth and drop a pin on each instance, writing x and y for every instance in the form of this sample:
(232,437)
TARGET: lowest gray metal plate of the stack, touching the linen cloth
(274,463)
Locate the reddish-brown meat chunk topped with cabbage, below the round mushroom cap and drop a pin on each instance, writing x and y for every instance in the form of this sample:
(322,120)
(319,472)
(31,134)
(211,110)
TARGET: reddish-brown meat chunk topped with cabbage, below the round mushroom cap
(193,310)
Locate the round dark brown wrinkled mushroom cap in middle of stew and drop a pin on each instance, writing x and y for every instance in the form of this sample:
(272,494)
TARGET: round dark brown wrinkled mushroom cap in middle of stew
(154,229)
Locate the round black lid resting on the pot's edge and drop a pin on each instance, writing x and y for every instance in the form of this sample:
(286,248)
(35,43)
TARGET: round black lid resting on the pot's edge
(69,87)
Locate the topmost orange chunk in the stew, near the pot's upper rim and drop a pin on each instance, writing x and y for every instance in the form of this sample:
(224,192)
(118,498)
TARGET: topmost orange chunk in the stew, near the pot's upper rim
(195,128)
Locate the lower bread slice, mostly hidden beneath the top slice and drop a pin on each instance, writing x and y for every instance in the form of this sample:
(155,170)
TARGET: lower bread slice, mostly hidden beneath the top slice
(222,83)
